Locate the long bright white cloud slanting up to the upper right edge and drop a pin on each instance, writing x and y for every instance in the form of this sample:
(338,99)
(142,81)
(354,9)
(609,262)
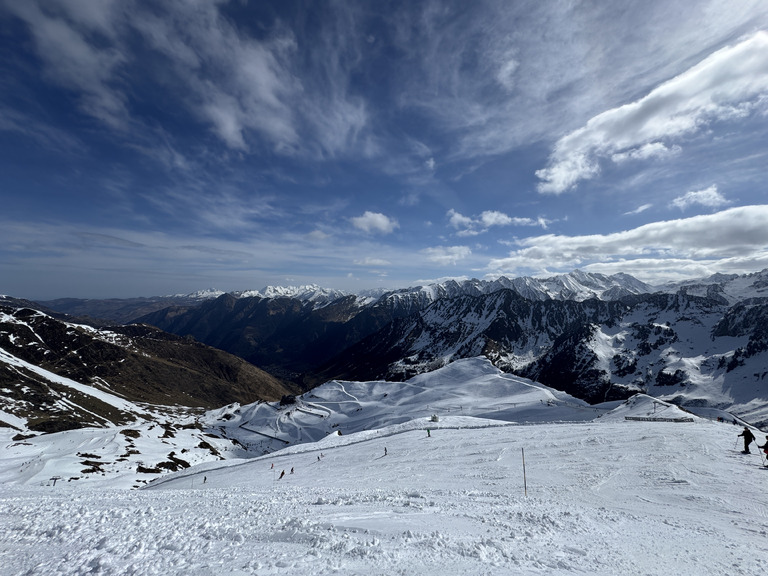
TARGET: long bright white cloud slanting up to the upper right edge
(730,83)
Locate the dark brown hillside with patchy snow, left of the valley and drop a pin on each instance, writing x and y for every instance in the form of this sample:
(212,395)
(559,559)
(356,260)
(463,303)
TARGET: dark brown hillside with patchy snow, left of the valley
(139,363)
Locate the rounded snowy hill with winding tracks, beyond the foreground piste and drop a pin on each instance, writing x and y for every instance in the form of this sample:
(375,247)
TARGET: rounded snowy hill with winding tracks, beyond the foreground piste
(469,387)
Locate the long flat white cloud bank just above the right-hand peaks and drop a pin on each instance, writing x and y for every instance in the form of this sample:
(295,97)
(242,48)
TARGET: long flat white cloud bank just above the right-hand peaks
(736,234)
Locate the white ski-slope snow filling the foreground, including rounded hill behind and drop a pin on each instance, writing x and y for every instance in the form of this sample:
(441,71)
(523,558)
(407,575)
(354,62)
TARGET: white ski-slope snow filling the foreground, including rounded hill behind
(512,478)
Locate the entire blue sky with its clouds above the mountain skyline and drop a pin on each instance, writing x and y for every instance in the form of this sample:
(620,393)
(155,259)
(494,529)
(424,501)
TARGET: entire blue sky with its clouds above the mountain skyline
(152,148)
